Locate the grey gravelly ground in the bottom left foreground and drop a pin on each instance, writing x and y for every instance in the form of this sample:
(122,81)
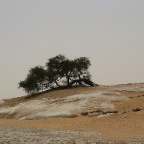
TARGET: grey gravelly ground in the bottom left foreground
(21,135)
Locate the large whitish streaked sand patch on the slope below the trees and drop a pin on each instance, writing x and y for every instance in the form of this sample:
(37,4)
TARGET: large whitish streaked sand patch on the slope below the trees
(63,107)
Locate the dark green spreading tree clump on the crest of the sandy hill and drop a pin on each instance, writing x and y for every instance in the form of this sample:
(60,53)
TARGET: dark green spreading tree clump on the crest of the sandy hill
(59,71)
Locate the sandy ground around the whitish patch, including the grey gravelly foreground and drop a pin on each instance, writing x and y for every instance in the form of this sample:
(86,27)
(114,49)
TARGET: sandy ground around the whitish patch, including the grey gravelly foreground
(126,126)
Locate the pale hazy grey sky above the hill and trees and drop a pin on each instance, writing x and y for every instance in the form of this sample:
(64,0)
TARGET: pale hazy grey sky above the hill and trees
(110,32)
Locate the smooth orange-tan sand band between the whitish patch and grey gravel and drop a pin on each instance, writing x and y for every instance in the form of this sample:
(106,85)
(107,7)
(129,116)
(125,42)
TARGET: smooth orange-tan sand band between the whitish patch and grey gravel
(126,127)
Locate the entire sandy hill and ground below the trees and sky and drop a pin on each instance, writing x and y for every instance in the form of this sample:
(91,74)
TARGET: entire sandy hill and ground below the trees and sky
(113,114)
